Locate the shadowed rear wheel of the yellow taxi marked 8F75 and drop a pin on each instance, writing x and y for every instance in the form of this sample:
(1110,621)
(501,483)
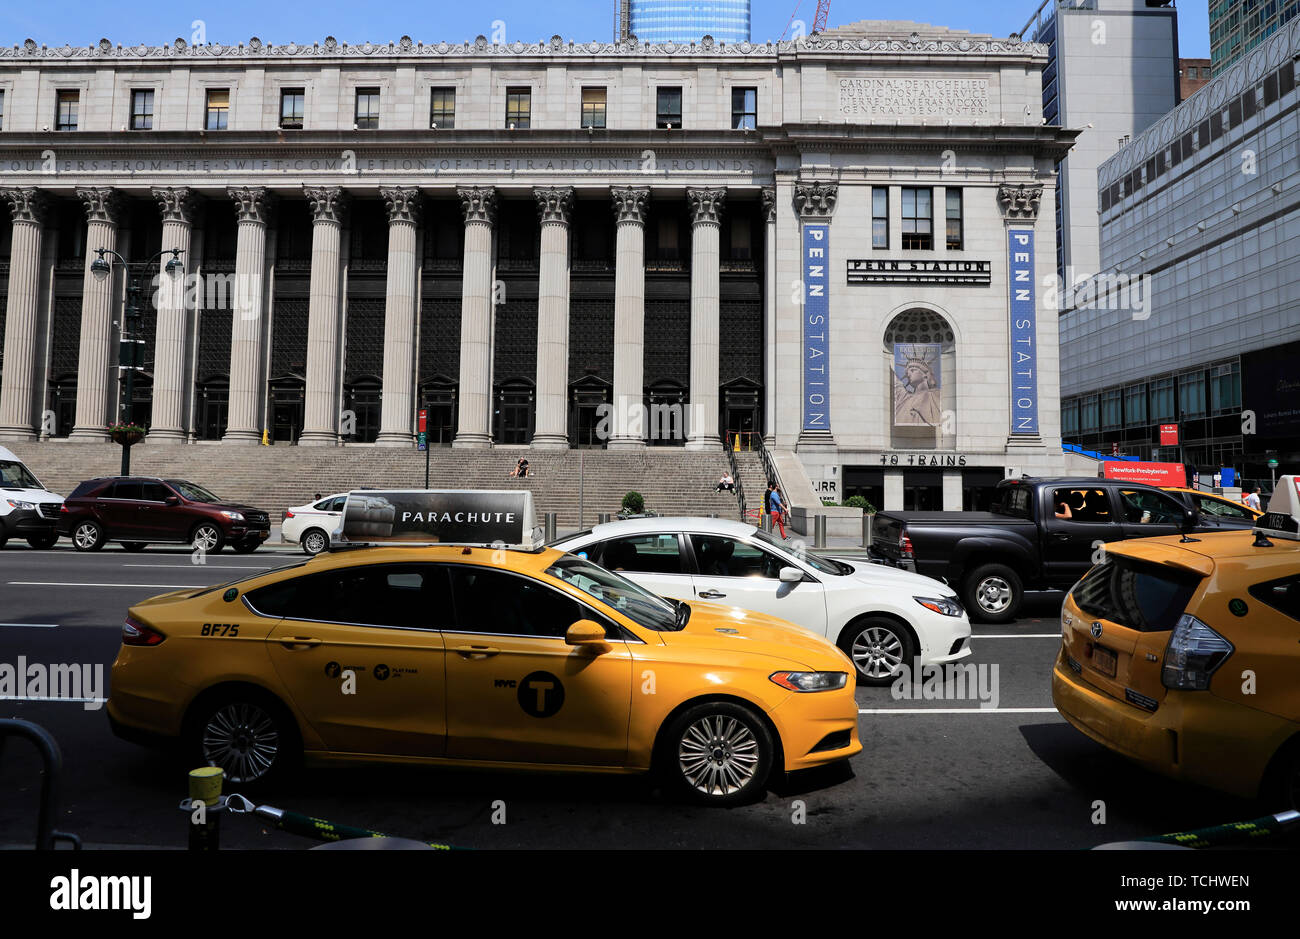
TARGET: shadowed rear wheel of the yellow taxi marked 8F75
(249,734)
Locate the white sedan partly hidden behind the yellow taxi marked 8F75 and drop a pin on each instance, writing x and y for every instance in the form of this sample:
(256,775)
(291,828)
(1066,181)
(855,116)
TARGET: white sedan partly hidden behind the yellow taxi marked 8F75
(882,617)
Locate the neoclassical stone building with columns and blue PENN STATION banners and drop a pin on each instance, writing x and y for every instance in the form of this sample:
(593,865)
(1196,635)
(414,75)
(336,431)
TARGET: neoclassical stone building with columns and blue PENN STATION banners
(834,244)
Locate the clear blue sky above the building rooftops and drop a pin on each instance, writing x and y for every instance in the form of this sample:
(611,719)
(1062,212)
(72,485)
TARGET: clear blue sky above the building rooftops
(55,23)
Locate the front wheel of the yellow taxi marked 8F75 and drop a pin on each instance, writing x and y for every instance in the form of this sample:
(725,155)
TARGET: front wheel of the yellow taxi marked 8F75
(718,754)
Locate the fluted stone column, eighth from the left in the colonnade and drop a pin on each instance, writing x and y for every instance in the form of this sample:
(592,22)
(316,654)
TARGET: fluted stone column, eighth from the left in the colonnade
(556,209)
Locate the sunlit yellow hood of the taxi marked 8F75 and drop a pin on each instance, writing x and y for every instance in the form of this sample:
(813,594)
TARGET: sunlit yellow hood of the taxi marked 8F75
(714,626)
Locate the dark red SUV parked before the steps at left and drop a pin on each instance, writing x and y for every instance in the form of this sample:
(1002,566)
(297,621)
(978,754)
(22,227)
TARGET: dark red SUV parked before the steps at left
(142,510)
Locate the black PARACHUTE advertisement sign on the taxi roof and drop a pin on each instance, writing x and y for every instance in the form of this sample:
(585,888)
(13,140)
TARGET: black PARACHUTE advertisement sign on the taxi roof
(456,517)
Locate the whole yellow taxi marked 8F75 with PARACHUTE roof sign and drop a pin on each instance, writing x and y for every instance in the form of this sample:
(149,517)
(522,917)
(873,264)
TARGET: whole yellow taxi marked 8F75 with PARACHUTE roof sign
(480,656)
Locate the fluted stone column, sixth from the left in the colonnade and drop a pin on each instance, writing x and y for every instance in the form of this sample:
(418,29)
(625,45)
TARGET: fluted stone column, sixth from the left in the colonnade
(400,318)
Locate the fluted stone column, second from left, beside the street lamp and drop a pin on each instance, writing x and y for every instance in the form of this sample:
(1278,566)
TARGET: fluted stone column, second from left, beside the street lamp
(97,362)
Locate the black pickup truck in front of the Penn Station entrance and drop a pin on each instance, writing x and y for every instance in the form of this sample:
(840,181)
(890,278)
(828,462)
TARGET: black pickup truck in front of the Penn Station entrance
(1042,535)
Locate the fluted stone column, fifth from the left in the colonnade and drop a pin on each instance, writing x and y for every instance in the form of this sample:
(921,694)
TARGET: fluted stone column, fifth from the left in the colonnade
(320,426)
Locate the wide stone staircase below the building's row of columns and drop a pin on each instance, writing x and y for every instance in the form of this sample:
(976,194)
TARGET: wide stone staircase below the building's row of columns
(674,482)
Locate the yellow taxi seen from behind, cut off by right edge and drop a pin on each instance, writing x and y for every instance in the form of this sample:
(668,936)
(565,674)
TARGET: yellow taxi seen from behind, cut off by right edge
(1182,655)
